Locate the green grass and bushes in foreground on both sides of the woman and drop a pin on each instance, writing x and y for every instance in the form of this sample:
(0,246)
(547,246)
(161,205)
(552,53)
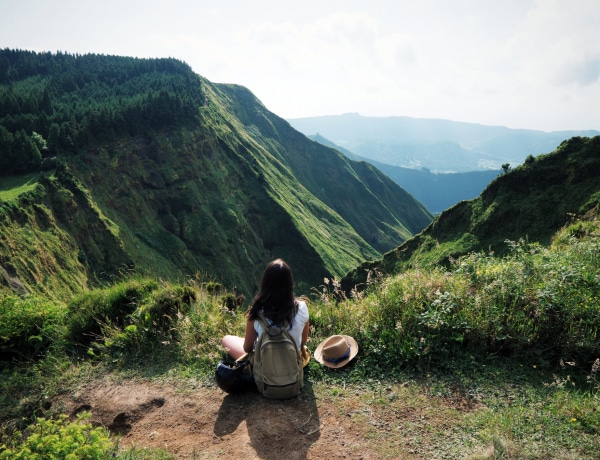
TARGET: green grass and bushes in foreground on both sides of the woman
(517,333)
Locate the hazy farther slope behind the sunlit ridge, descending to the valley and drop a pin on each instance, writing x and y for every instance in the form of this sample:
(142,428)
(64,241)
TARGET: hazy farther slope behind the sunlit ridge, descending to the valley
(377,208)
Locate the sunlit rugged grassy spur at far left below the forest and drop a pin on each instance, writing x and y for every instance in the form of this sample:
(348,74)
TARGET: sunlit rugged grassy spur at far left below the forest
(53,237)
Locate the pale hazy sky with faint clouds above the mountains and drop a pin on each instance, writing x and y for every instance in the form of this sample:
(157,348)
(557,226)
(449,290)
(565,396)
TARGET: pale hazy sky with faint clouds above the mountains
(517,63)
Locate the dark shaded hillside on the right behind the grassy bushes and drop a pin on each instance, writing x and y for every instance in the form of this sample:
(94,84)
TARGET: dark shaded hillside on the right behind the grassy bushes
(531,202)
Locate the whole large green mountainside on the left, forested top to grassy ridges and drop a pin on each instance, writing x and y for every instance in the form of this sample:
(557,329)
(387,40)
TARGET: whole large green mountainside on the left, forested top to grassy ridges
(148,167)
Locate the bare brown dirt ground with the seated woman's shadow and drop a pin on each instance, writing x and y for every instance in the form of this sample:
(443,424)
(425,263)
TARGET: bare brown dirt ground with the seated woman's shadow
(206,423)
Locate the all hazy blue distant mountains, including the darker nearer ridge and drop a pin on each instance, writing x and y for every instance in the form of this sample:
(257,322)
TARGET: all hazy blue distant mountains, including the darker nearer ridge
(439,162)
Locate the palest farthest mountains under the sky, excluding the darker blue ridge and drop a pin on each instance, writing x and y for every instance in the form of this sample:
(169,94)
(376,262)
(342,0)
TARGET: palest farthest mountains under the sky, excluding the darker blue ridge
(441,146)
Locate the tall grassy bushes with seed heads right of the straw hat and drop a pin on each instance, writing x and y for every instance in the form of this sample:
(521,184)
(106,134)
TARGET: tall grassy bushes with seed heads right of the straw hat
(535,302)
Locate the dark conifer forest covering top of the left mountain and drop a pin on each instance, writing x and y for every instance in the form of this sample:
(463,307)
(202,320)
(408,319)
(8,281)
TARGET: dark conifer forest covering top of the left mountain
(52,104)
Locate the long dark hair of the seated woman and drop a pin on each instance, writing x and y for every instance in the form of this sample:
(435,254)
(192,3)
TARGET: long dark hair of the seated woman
(276,297)
